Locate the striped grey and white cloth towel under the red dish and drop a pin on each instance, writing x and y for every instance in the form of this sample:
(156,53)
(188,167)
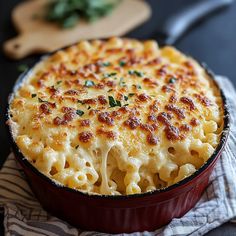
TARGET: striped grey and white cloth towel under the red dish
(24,215)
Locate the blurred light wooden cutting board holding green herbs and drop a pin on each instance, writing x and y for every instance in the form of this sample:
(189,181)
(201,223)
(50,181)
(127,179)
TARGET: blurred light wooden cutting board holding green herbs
(39,36)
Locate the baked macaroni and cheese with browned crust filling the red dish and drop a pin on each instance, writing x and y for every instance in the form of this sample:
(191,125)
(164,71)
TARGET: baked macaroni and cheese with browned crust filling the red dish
(117,117)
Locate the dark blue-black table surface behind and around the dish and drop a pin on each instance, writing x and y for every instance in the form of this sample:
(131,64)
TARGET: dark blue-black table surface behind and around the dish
(212,41)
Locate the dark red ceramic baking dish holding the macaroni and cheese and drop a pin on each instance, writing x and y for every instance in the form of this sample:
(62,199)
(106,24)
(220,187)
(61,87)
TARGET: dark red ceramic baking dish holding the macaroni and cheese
(123,213)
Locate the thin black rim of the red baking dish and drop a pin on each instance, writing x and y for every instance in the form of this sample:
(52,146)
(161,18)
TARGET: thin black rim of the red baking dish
(218,150)
